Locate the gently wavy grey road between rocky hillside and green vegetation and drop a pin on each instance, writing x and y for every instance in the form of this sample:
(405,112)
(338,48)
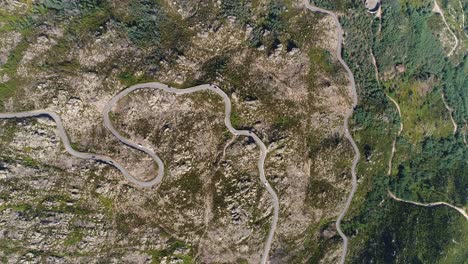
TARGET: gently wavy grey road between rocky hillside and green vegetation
(357,154)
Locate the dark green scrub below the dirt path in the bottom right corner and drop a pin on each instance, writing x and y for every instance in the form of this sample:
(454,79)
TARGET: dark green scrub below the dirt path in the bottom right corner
(415,234)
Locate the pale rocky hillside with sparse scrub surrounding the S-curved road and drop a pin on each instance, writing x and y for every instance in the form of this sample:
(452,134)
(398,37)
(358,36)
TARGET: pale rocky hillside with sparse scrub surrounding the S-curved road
(211,206)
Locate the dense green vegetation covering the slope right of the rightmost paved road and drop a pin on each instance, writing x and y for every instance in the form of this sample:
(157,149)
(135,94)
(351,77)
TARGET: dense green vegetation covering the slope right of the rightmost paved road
(430,160)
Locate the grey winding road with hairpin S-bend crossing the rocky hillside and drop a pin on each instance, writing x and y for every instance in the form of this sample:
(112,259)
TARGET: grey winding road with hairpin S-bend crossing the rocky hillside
(159,177)
